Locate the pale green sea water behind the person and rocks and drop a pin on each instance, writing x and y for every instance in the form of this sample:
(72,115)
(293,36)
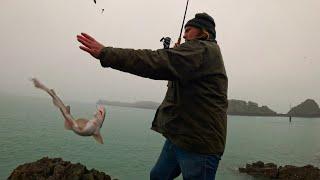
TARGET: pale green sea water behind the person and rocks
(31,128)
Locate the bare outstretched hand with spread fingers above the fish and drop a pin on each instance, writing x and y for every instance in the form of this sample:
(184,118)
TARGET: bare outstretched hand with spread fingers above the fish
(89,44)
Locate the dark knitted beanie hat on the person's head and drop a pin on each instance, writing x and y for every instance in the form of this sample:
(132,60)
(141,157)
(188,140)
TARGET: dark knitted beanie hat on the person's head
(203,21)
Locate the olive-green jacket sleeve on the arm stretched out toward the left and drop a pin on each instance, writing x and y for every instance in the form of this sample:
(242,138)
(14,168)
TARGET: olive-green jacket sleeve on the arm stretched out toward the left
(164,64)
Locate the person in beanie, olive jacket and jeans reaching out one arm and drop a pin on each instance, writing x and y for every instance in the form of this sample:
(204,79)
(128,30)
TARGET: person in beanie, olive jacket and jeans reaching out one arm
(192,116)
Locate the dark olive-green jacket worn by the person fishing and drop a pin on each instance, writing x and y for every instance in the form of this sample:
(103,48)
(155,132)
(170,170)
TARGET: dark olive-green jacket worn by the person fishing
(193,114)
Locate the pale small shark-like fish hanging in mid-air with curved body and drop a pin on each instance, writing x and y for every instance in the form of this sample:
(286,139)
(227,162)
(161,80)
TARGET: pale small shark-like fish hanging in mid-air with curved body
(82,127)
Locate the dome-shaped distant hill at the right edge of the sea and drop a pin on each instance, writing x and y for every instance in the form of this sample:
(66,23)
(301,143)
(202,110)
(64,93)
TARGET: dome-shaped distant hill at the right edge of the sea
(308,108)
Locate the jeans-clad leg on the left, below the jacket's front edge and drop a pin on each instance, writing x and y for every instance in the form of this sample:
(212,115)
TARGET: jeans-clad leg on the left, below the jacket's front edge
(167,167)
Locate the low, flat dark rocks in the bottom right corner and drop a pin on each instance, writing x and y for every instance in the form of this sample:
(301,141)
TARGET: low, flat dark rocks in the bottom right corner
(288,172)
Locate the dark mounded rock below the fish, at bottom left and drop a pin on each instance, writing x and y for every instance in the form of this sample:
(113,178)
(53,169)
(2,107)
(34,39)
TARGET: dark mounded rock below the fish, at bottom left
(55,169)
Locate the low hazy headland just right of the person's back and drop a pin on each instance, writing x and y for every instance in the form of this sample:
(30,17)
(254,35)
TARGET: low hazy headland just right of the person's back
(243,108)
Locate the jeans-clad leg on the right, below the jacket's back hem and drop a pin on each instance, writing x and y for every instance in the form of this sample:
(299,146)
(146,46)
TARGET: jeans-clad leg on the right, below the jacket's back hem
(195,166)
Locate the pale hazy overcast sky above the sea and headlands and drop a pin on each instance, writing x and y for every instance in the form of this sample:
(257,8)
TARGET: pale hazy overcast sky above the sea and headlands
(269,47)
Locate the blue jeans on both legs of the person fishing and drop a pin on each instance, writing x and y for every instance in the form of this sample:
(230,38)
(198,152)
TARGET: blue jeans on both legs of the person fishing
(193,166)
